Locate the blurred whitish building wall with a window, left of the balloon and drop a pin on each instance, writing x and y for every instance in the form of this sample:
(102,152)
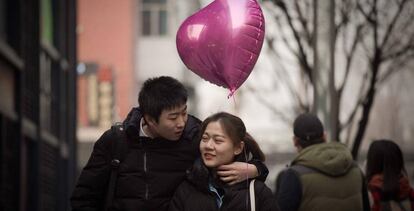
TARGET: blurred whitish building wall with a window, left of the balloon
(156,52)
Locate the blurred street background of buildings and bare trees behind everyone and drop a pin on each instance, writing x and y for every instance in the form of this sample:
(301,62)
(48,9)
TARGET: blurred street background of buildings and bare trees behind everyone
(69,69)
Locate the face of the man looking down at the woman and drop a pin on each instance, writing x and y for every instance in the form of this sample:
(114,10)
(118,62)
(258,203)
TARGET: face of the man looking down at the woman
(170,124)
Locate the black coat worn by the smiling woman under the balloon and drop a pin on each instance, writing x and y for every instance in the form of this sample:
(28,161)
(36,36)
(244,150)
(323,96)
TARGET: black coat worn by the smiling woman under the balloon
(194,194)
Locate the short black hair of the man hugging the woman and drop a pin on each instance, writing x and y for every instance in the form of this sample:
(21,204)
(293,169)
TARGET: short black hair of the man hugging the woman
(161,93)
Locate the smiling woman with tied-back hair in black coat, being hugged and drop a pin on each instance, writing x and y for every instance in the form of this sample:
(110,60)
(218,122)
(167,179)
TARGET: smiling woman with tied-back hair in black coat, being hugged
(224,140)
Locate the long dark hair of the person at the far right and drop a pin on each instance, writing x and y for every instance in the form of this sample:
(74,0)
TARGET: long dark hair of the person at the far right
(385,157)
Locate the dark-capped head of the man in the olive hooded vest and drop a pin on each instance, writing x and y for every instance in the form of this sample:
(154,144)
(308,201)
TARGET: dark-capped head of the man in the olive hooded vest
(308,129)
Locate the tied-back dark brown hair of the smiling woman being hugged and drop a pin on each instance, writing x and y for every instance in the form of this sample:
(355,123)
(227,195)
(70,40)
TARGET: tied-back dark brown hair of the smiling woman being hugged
(236,130)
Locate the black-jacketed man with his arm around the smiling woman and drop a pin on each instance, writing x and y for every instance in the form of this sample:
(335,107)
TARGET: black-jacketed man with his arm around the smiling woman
(161,144)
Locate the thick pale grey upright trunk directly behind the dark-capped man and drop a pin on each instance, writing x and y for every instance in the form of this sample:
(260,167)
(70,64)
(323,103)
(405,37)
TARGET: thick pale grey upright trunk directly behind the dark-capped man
(323,71)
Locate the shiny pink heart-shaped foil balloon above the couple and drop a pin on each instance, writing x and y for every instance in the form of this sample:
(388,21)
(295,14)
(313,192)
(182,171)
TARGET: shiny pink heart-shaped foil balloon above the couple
(222,41)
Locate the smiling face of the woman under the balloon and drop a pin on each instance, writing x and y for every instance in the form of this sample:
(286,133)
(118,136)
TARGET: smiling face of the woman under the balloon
(216,147)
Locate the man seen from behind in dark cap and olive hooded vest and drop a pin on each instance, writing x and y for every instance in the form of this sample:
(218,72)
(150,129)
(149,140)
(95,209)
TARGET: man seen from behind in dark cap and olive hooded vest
(323,176)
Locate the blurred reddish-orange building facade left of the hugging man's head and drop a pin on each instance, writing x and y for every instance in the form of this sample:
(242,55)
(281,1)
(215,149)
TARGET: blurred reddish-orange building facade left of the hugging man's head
(107,88)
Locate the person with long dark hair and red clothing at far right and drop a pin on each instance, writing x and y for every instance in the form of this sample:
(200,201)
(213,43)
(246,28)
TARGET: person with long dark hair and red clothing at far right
(388,183)
